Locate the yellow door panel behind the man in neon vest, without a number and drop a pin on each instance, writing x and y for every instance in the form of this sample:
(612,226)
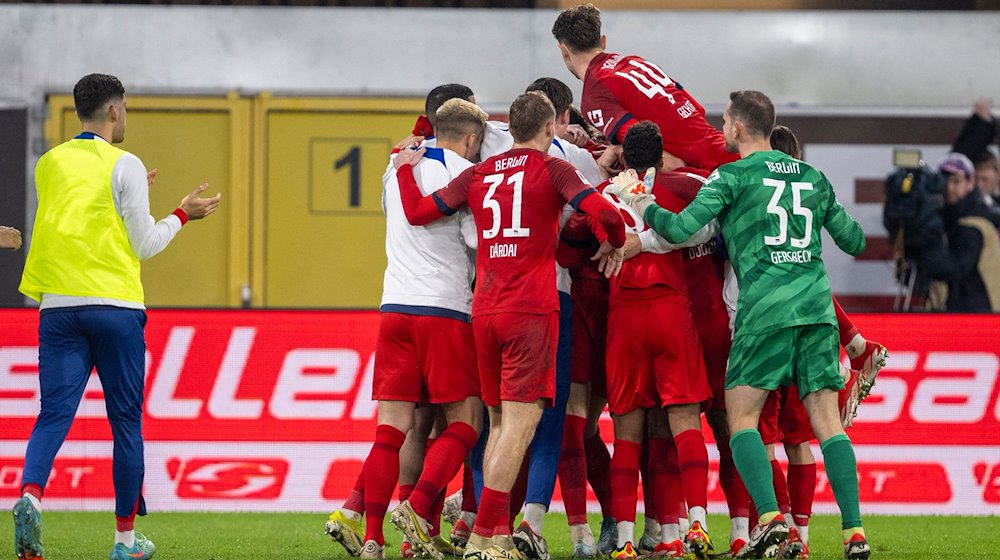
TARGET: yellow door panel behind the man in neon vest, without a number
(190,140)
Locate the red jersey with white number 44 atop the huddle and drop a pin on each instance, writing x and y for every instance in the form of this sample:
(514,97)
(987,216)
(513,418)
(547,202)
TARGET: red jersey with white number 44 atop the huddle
(619,91)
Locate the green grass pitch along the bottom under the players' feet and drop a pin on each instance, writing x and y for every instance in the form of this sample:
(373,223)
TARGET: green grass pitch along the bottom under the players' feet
(299,536)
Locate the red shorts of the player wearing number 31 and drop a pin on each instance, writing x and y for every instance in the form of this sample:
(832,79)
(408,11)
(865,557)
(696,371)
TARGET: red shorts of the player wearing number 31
(517,356)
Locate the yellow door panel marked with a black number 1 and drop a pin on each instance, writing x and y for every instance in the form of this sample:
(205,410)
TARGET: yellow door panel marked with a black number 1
(319,231)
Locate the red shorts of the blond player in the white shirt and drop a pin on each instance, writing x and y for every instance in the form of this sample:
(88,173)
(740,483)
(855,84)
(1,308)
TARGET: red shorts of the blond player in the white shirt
(424,359)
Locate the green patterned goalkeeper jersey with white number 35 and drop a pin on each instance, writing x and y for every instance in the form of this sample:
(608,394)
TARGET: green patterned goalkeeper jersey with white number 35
(771,207)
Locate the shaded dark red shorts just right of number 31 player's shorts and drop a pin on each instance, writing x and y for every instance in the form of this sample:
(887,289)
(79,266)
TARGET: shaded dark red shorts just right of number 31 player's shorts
(590,333)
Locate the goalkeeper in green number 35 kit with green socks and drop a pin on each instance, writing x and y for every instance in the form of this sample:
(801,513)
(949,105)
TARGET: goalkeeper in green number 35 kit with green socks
(773,208)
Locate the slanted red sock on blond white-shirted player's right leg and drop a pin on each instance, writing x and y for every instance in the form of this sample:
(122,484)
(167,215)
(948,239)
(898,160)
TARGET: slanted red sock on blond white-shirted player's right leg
(440,466)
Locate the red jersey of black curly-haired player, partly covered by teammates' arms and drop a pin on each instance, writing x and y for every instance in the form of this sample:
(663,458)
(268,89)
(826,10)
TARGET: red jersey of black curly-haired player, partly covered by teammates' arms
(647,270)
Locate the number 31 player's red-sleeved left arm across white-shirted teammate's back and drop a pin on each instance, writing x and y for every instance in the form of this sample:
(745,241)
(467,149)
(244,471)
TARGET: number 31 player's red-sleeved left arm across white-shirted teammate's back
(419,209)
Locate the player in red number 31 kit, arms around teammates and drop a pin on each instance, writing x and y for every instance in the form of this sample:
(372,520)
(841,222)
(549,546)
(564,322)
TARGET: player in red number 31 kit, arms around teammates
(516,199)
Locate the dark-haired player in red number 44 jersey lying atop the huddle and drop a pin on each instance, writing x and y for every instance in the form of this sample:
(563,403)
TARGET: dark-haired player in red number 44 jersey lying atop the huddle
(620,91)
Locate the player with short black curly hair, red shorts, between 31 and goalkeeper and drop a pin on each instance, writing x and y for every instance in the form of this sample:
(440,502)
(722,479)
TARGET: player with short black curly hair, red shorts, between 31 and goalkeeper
(649,368)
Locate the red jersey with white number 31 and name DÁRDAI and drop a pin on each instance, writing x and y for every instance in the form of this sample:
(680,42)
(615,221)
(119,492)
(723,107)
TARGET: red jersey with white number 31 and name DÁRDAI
(516,199)
